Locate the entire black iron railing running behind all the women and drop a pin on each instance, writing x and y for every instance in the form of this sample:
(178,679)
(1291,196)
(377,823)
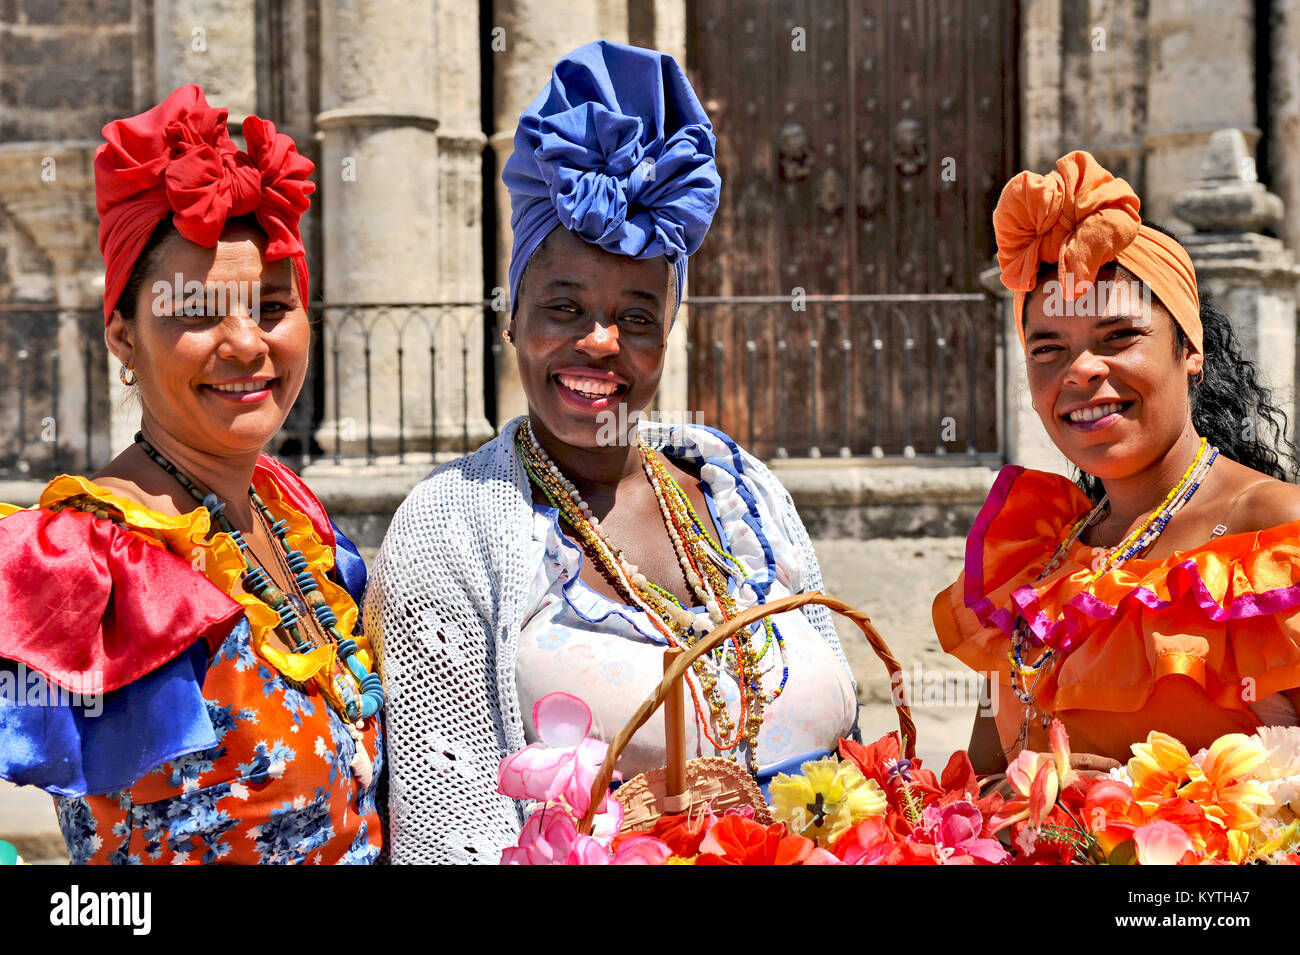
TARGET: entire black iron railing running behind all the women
(852,376)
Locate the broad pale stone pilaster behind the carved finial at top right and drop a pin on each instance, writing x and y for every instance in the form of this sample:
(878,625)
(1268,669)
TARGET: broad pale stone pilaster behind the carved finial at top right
(1202,80)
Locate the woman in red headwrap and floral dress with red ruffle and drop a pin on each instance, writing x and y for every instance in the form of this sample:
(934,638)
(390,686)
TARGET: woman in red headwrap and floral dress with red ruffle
(181,623)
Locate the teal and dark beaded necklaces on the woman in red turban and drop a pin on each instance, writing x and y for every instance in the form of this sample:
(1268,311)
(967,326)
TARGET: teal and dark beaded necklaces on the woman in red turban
(359,693)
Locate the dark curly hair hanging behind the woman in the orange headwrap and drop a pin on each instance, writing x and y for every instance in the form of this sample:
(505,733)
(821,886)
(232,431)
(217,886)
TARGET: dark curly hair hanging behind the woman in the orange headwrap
(1232,409)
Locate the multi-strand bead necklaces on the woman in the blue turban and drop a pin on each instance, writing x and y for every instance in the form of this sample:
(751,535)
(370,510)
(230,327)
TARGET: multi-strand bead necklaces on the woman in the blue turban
(708,570)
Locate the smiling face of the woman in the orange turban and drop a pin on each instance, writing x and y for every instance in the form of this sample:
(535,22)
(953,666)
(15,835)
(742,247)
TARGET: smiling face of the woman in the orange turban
(1111,387)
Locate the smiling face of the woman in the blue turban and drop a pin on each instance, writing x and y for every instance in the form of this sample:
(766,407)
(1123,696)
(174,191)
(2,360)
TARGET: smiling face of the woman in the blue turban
(591,333)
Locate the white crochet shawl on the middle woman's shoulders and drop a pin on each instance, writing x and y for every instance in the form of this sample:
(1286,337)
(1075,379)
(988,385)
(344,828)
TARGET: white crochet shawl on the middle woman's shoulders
(445,606)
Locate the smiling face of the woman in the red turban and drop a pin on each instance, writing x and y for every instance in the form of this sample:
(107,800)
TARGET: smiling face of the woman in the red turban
(220,368)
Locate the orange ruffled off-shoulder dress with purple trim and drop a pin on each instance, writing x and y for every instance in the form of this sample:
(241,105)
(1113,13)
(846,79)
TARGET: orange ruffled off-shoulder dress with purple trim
(1182,645)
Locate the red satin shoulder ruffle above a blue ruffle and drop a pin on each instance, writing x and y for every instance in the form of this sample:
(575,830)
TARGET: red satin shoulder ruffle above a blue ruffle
(86,597)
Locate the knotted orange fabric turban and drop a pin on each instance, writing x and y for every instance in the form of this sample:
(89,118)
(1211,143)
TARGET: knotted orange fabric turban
(1082,218)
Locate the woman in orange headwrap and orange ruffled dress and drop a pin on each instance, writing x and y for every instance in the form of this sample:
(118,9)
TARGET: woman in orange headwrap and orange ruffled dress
(1163,591)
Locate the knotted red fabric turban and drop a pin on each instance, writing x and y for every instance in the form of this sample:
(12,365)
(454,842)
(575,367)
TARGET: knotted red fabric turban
(179,160)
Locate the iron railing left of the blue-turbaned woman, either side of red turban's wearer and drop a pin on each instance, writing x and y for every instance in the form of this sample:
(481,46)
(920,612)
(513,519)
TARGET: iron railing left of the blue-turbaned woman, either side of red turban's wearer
(397,381)
